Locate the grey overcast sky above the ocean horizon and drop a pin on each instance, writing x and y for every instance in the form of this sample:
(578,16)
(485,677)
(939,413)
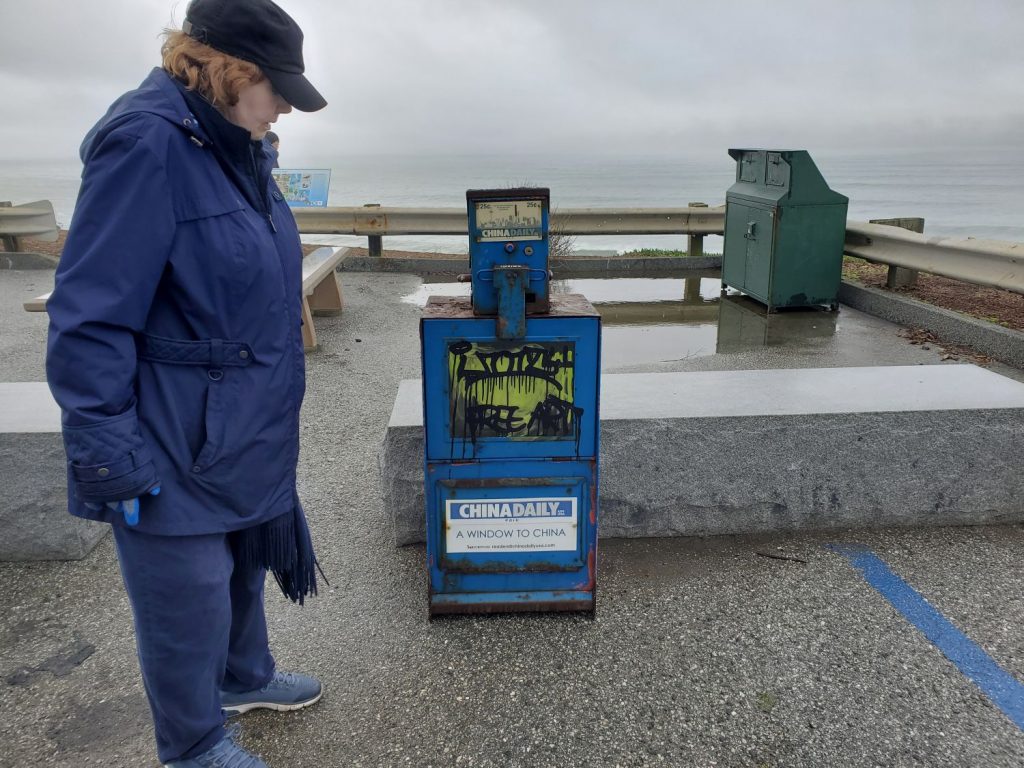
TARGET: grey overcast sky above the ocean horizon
(528,76)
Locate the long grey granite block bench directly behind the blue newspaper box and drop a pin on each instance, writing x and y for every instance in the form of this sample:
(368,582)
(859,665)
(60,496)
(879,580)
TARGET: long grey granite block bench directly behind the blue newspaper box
(743,452)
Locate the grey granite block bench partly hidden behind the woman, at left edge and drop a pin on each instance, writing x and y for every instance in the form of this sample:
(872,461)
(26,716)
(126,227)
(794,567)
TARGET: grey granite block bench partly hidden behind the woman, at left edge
(34,520)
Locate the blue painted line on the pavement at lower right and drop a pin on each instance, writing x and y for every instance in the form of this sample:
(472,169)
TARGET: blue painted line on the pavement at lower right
(1001,688)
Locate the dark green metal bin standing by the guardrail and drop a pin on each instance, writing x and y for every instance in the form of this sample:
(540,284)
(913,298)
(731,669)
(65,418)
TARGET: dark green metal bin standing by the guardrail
(785,231)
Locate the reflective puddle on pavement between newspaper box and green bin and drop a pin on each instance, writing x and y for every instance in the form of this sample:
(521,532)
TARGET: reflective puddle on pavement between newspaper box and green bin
(660,320)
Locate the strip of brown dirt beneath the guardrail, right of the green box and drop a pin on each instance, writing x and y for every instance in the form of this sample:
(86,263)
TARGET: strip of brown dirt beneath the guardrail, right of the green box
(995,306)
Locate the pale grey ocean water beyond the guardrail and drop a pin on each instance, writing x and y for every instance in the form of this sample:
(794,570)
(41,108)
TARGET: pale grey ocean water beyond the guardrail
(977,193)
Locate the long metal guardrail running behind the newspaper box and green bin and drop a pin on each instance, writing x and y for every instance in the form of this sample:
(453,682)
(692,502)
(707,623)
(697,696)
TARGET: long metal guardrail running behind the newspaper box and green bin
(985,263)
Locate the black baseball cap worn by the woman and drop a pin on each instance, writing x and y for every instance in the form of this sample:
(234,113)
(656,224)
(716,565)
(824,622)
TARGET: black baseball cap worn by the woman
(259,32)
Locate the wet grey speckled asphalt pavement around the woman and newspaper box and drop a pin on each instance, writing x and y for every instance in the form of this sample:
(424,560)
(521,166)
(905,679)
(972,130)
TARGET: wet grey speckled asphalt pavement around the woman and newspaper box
(729,652)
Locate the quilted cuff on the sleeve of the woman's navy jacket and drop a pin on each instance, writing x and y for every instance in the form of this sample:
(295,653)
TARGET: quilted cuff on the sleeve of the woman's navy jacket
(108,460)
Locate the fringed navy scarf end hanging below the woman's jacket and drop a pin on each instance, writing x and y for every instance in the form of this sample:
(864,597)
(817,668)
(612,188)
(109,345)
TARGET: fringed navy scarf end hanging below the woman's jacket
(284,547)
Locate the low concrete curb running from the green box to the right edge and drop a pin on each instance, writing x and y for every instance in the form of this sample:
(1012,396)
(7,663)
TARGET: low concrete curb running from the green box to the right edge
(1000,344)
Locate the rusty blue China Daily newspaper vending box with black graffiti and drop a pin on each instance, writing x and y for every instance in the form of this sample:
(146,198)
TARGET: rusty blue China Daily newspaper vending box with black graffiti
(510,398)
